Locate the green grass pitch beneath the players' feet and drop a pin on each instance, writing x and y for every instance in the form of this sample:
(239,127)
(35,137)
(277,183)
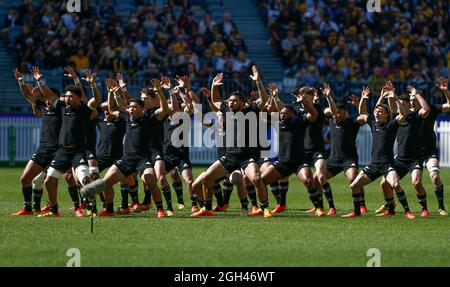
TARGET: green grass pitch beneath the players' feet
(229,239)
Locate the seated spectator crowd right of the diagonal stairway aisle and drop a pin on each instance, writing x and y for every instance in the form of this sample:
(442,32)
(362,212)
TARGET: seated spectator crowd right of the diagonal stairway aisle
(340,40)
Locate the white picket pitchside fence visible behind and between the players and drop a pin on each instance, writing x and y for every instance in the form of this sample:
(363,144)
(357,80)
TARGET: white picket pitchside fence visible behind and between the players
(19,139)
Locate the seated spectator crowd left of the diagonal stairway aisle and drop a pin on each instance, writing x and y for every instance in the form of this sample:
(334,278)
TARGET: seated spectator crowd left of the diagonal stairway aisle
(164,39)
